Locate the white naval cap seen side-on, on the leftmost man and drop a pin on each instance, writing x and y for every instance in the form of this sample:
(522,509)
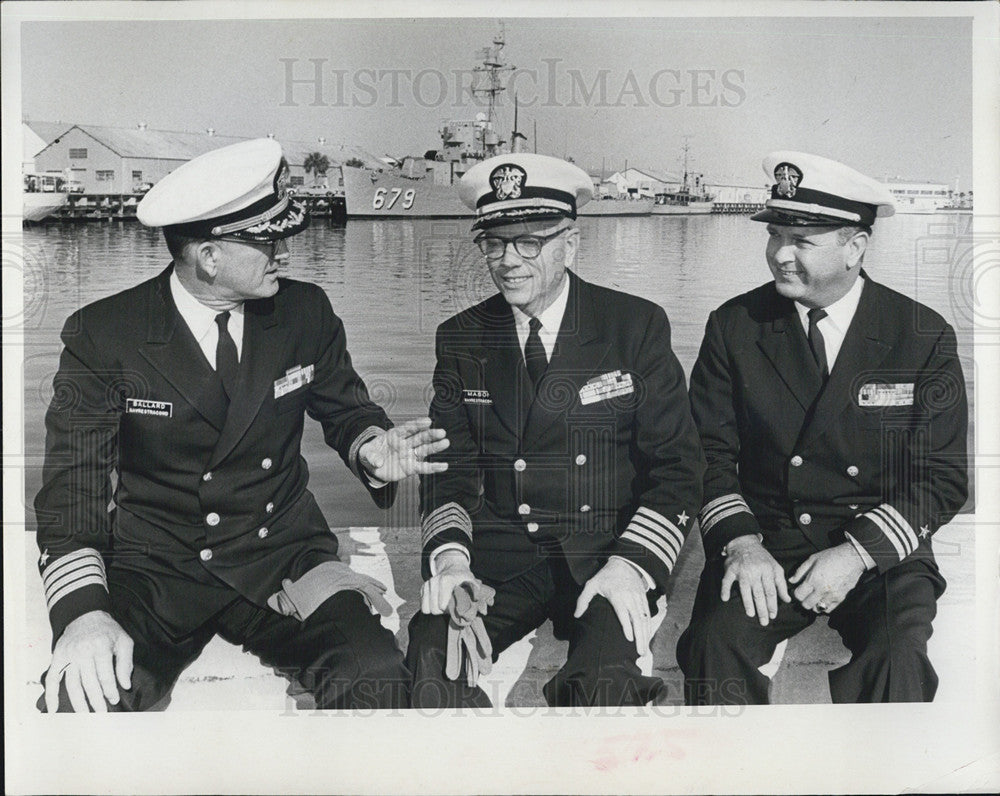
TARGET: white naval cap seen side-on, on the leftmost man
(237,191)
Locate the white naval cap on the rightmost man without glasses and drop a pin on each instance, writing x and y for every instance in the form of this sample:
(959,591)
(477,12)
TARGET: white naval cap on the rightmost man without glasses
(813,190)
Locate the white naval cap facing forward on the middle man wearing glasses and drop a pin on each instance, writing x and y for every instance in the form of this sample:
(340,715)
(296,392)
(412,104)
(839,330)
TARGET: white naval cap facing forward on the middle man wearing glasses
(524,187)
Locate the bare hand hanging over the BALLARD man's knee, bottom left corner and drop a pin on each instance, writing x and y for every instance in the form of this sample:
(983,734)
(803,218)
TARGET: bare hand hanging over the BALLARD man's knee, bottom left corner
(91,653)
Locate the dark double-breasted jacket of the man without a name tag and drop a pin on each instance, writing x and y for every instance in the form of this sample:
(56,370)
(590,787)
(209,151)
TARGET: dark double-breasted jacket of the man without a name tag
(878,452)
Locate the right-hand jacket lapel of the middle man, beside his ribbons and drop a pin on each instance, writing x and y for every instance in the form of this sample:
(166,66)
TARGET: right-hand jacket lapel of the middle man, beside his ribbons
(577,356)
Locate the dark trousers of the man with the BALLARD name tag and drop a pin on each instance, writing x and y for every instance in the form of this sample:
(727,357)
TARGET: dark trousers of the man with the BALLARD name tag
(341,654)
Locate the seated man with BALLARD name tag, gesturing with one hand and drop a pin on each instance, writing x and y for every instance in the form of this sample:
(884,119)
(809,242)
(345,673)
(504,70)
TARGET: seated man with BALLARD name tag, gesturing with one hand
(174,503)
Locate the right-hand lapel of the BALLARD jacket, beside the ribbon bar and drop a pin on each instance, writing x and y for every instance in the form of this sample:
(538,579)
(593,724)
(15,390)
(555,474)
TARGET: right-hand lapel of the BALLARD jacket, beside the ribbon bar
(263,352)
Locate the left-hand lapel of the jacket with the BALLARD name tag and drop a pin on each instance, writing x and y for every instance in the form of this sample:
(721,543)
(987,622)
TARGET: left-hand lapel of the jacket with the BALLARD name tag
(172,350)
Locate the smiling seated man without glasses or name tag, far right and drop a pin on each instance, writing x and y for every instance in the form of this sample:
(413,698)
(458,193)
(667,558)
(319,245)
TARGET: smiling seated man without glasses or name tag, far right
(833,415)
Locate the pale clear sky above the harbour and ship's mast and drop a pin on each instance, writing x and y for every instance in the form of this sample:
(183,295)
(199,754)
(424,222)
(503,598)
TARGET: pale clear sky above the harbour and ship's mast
(890,96)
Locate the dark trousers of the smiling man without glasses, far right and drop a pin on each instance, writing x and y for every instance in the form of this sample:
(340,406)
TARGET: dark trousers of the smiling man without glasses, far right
(885,622)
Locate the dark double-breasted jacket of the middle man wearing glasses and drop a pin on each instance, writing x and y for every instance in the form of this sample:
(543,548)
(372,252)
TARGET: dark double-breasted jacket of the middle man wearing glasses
(605,460)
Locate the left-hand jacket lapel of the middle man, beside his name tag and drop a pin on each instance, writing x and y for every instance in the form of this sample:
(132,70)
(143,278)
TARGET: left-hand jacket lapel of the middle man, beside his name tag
(504,374)
